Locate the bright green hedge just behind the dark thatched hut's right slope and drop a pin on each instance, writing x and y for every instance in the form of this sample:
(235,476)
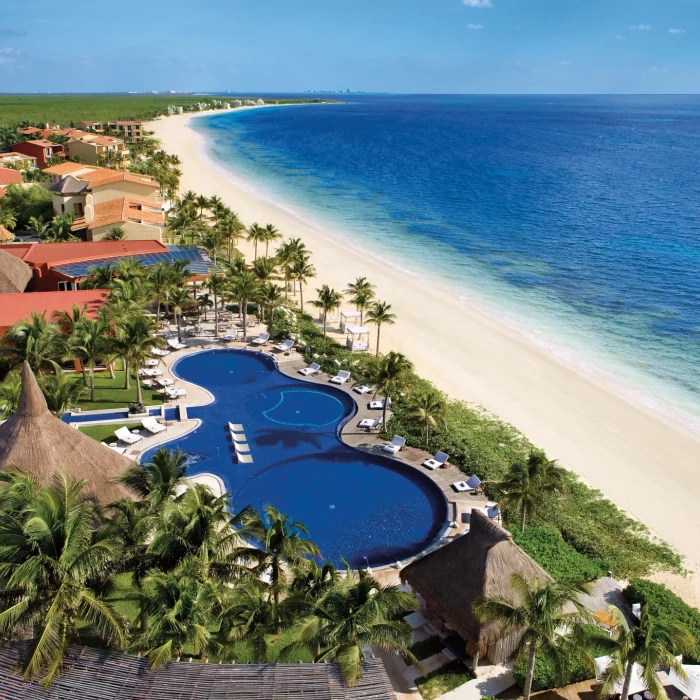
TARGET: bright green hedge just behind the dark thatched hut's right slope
(559,559)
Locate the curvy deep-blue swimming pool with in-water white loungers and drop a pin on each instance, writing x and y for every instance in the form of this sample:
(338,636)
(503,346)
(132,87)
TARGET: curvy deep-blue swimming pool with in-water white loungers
(354,504)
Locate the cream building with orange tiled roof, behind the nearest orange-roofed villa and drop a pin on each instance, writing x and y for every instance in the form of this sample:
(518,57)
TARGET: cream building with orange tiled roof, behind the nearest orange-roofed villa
(74,183)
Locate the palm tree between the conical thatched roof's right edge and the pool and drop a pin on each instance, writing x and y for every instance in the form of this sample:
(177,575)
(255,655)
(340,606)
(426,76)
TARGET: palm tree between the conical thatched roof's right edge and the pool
(159,480)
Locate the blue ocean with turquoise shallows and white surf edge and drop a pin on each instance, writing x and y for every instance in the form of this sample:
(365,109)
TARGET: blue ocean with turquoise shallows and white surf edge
(574,219)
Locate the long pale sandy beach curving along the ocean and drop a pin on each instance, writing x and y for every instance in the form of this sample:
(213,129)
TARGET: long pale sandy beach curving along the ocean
(645,462)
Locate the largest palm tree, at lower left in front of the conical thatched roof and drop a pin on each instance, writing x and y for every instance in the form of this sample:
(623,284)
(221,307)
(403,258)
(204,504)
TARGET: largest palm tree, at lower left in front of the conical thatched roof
(52,552)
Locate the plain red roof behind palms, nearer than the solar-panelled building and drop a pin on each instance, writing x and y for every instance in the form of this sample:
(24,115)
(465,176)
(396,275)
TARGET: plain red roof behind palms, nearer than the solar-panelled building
(17,307)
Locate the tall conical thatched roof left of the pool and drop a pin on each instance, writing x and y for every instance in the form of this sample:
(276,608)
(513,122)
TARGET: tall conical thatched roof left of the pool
(34,441)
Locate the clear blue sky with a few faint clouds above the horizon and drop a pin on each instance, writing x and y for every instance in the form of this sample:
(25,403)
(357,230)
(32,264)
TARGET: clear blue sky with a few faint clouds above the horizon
(401,46)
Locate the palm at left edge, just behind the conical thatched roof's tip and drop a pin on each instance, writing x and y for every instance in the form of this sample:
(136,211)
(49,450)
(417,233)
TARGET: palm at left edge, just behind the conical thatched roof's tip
(35,340)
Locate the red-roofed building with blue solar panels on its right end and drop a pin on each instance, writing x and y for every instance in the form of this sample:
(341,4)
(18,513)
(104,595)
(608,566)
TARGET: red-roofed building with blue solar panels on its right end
(63,266)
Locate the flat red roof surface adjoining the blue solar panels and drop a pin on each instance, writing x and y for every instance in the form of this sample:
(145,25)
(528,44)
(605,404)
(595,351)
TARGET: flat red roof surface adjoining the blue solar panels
(50,254)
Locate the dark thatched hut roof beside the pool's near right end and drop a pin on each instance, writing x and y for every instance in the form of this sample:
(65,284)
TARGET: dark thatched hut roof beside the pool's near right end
(479,563)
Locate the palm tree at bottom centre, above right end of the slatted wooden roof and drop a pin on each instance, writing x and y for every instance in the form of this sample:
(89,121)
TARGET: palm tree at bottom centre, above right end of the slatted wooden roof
(356,614)
